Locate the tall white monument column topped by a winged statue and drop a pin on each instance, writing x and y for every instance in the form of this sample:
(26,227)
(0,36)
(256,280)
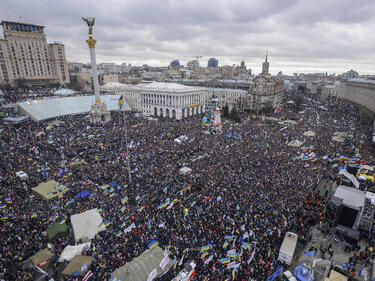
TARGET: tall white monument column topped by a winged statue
(99,113)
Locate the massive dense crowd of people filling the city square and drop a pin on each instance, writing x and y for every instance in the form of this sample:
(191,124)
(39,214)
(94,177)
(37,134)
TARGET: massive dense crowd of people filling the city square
(246,186)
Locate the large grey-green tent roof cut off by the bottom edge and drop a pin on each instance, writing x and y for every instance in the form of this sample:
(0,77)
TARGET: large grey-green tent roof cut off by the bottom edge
(140,268)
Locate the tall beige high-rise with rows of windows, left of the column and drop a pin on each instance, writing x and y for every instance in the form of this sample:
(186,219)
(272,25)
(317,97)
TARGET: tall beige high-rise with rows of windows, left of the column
(26,56)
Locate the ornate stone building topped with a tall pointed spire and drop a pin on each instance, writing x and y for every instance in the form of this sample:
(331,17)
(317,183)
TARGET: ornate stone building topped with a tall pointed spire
(266,91)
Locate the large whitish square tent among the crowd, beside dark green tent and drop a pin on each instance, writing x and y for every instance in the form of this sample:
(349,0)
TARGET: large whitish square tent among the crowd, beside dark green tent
(86,225)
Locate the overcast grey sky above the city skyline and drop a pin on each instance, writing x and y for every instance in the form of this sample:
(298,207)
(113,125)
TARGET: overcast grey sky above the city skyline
(301,35)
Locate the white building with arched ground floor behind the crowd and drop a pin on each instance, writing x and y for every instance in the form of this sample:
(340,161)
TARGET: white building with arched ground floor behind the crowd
(172,100)
